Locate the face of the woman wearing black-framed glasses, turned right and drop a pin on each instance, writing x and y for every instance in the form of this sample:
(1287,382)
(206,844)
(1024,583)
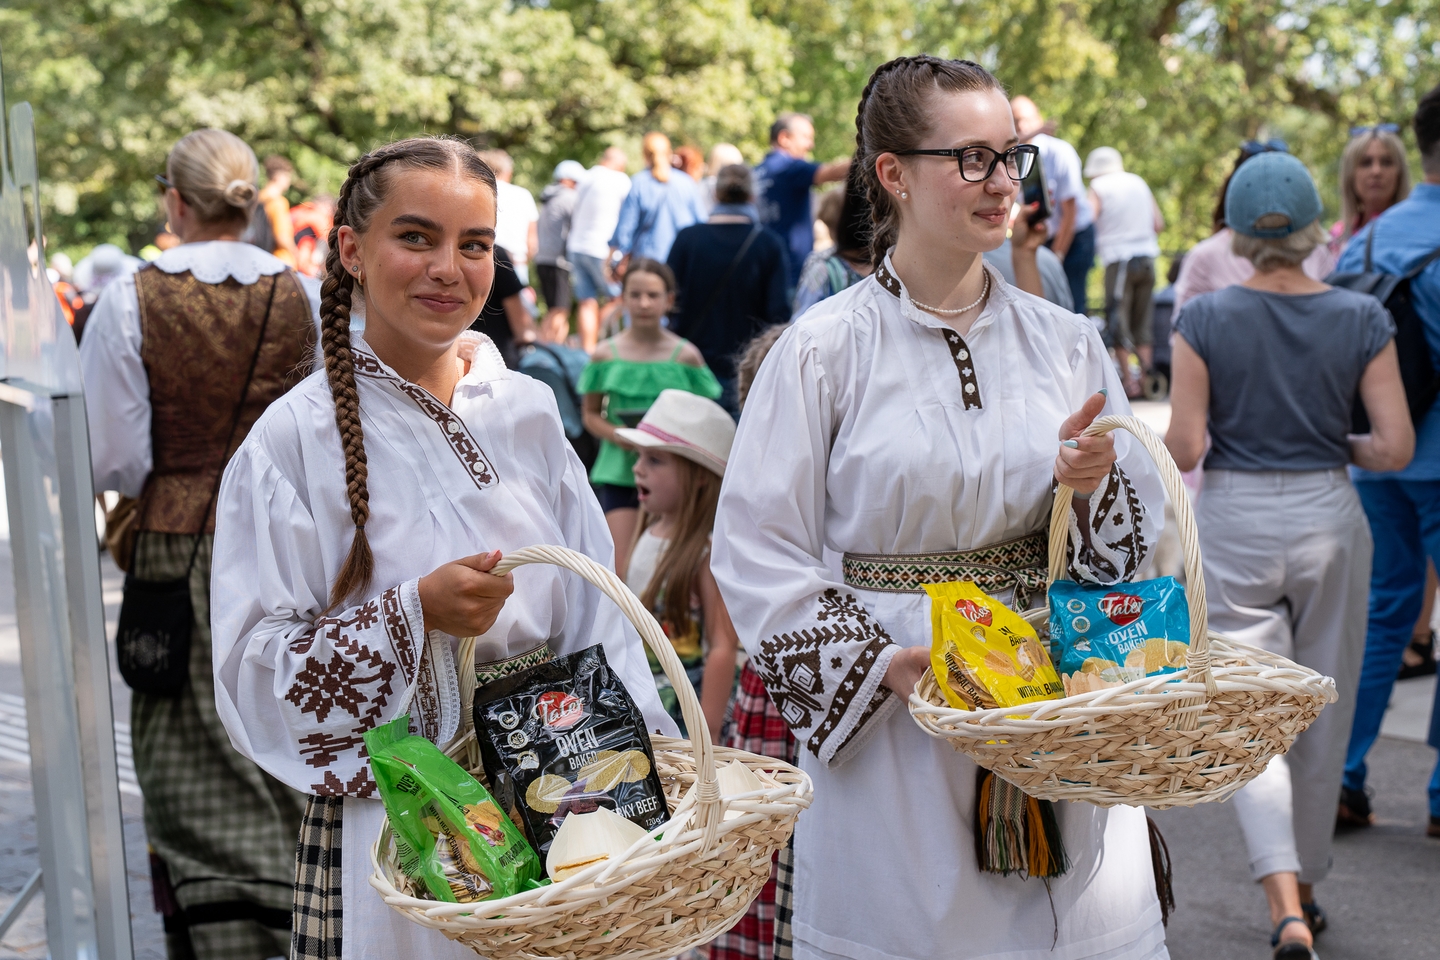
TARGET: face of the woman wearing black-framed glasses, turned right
(944,209)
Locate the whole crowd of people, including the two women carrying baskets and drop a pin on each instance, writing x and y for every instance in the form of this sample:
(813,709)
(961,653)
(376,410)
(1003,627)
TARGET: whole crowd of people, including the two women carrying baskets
(780,379)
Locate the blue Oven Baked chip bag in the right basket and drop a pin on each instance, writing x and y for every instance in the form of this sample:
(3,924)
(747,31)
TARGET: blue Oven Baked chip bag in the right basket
(1107,637)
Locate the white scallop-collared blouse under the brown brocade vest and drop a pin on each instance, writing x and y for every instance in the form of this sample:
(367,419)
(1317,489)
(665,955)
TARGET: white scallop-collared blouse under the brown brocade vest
(117,391)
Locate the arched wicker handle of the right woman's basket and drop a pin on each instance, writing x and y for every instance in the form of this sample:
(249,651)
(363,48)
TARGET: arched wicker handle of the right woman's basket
(1197,660)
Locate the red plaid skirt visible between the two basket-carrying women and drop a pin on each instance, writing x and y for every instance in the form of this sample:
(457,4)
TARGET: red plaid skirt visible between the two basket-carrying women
(765,930)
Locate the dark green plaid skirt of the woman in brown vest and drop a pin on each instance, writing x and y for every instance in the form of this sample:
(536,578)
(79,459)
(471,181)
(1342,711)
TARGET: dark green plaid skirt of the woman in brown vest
(221,830)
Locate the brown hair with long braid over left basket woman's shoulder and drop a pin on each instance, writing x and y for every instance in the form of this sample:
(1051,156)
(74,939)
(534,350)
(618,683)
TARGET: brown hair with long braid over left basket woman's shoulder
(361,196)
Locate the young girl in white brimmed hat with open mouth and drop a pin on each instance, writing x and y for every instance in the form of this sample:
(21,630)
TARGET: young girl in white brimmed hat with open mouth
(683,447)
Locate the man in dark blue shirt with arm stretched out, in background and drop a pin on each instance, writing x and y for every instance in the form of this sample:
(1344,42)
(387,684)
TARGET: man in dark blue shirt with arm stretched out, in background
(784,181)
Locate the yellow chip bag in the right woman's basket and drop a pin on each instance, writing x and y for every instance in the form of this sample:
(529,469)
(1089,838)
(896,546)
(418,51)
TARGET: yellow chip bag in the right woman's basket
(984,654)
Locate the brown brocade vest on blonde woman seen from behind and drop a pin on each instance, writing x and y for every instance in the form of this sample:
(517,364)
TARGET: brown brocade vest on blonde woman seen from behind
(197,342)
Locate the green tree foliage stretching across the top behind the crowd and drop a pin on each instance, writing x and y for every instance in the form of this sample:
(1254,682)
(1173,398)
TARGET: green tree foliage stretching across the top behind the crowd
(1174,86)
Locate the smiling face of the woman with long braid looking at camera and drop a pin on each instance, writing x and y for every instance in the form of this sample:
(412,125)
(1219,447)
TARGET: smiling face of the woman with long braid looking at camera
(426,260)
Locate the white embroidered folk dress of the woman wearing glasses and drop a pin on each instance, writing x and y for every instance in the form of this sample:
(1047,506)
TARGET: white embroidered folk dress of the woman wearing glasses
(885,433)
